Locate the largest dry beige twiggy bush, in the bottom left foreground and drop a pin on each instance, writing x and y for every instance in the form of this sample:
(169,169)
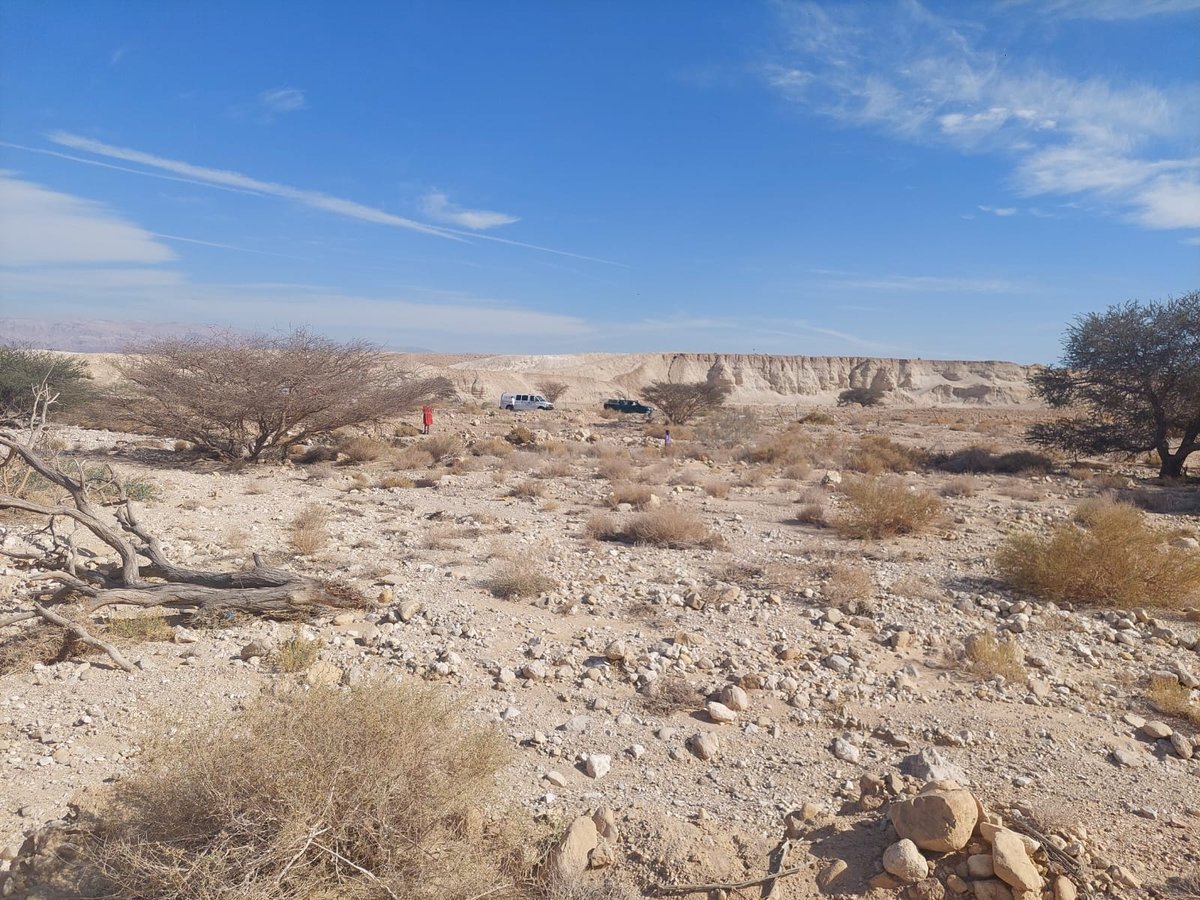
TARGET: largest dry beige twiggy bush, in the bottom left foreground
(373,793)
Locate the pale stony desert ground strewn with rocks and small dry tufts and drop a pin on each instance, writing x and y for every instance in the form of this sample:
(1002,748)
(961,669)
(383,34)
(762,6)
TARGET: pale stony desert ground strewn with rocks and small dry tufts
(706,703)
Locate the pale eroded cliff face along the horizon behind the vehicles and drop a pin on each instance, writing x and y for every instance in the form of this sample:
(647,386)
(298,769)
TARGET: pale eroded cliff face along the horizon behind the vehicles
(757,379)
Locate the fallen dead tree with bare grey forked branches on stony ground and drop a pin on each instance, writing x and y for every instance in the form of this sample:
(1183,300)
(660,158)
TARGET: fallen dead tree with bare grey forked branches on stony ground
(142,575)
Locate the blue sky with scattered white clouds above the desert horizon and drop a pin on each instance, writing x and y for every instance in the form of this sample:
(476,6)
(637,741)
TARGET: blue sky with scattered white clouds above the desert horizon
(953,179)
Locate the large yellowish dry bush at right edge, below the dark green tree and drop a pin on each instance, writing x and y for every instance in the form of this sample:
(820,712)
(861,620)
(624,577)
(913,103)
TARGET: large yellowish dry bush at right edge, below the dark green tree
(1109,555)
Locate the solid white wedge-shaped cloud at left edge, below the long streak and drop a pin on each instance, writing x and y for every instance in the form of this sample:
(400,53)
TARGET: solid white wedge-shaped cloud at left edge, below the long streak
(41,227)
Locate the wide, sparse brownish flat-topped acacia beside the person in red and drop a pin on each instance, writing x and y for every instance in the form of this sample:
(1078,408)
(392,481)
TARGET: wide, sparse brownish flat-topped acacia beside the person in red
(241,397)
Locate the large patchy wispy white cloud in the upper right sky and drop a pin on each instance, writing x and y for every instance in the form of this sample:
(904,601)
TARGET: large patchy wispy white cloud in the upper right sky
(916,76)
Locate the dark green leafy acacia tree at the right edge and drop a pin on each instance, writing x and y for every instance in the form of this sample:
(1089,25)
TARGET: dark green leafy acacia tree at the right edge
(1135,370)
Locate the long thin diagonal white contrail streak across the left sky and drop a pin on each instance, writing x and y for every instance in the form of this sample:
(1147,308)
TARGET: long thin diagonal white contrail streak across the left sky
(227,181)
